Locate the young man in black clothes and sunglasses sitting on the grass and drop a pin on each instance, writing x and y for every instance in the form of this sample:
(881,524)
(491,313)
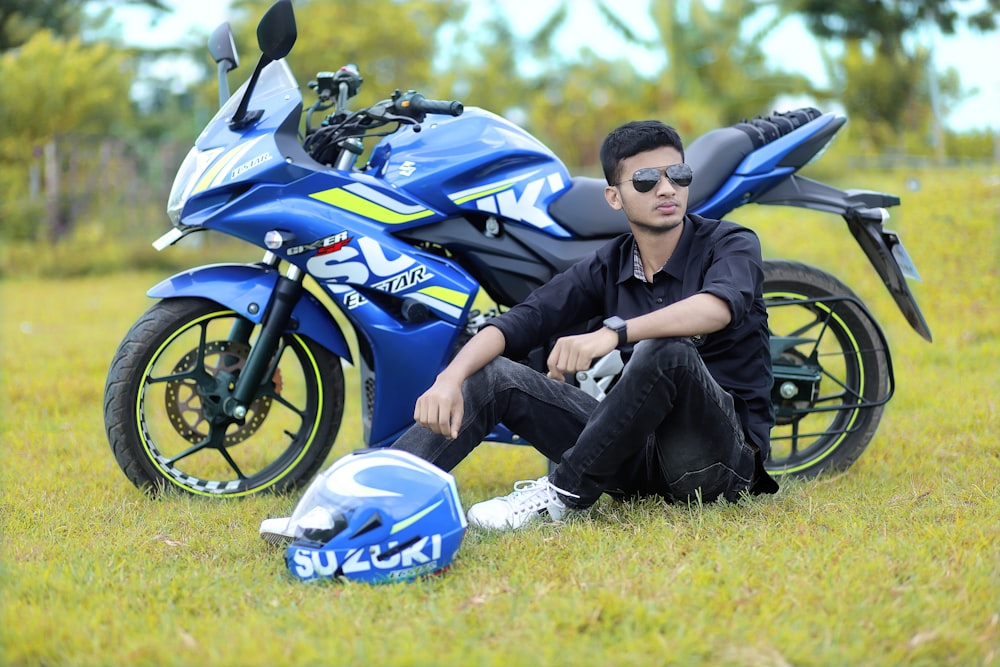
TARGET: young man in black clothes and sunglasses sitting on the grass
(691,413)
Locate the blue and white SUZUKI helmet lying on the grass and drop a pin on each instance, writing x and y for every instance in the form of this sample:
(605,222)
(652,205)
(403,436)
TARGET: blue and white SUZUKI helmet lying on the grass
(376,516)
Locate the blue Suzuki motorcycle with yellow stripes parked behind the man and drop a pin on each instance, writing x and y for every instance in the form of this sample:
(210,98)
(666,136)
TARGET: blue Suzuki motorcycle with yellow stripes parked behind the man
(232,382)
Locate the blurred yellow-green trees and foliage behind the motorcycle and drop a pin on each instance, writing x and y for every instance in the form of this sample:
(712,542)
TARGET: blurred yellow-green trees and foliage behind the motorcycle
(82,162)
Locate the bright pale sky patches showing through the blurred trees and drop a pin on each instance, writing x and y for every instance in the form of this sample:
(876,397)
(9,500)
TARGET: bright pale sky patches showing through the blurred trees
(974,56)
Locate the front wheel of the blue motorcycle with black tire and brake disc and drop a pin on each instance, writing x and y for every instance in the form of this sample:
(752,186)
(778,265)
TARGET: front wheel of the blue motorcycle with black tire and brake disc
(175,364)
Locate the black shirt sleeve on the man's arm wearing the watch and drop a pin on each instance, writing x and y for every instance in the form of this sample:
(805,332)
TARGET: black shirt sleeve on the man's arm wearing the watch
(735,271)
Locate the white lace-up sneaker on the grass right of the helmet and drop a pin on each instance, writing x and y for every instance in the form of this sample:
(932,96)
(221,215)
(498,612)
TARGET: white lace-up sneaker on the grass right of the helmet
(532,499)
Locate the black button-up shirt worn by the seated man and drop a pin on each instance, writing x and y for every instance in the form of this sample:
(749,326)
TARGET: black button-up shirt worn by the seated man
(714,257)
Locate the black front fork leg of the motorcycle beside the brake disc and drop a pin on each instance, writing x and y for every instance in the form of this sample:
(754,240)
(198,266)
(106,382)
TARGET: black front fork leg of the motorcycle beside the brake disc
(287,291)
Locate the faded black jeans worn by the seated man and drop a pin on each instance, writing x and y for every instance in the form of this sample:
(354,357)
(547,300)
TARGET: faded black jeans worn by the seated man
(666,428)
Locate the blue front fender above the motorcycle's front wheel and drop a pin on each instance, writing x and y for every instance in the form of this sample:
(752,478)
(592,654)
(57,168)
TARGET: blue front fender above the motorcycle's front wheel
(247,289)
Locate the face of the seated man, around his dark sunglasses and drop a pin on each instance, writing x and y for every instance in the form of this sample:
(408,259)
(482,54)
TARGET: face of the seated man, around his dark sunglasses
(661,209)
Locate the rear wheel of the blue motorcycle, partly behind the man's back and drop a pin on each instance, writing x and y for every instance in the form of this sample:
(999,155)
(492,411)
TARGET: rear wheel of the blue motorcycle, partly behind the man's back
(838,364)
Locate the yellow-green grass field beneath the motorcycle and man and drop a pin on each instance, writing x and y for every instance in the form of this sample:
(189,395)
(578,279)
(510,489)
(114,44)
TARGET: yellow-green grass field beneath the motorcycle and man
(895,562)
